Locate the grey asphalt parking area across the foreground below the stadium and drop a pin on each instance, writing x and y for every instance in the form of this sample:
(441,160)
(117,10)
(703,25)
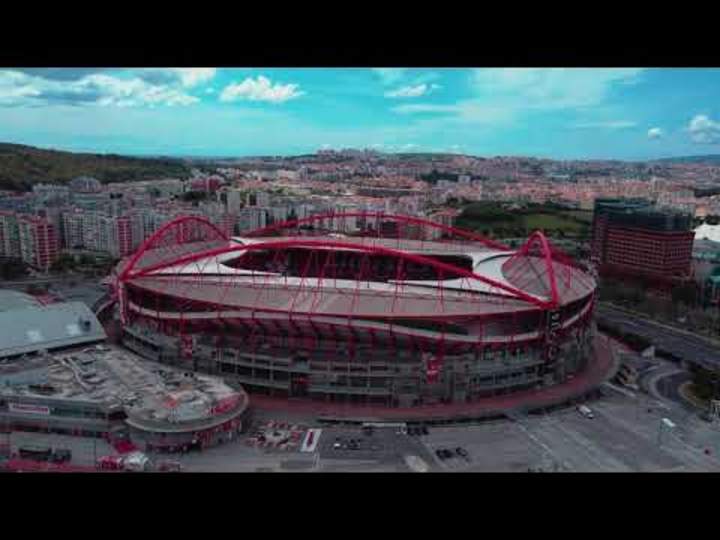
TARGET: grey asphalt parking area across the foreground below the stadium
(624,436)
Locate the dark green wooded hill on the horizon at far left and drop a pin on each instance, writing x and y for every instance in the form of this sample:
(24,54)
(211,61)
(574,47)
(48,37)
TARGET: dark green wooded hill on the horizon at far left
(23,166)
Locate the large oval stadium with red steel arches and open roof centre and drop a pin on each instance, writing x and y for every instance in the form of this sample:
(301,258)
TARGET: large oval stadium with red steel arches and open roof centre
(359,308)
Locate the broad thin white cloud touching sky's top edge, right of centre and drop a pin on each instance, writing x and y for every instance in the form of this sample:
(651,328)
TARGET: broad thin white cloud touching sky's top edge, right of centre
(551,88)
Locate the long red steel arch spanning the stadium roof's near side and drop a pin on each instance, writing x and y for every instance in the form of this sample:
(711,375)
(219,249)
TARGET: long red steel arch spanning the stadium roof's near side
(333,244)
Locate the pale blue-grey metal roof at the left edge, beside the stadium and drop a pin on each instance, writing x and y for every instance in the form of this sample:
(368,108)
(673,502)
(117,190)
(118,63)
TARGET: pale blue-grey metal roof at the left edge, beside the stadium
(33,329)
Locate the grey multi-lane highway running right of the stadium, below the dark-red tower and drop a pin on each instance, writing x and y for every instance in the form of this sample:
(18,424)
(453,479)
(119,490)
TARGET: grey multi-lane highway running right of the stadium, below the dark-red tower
(680,344)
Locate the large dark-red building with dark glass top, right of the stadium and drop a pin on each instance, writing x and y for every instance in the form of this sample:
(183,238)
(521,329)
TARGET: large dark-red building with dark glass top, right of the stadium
(633,238)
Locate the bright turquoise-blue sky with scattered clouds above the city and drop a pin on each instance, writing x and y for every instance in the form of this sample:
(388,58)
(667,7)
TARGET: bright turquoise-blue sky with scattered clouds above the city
(560,113)
